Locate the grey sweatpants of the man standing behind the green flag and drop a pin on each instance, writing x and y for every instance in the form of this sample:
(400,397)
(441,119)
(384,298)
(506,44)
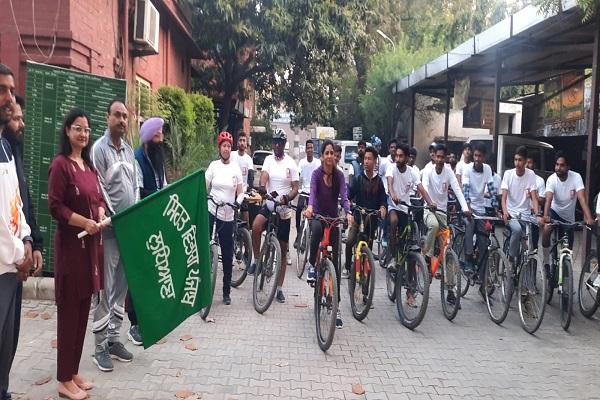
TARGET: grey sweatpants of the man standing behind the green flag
(109,304)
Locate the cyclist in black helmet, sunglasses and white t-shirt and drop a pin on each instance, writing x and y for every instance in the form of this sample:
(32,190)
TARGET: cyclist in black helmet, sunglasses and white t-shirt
(279,177)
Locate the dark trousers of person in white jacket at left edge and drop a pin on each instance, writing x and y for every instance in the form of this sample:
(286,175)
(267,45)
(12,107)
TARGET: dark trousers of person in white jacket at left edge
(8,297)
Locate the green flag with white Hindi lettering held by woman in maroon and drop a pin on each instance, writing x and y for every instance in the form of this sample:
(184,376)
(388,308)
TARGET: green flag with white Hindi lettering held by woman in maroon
(164,246)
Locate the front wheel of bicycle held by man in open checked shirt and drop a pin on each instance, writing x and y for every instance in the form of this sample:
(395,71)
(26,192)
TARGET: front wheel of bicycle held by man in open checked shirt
(496,286)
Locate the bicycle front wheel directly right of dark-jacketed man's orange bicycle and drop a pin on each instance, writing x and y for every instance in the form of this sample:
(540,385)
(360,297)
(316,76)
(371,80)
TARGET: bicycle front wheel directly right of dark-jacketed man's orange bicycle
(412,290)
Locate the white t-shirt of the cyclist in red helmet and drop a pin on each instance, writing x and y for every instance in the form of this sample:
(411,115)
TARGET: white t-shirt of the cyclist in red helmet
(223,180)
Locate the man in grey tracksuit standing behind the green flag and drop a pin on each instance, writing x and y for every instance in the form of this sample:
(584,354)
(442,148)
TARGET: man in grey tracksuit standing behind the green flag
(114,161)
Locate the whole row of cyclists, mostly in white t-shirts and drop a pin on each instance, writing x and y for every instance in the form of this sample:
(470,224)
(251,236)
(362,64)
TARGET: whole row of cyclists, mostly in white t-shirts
(390,185)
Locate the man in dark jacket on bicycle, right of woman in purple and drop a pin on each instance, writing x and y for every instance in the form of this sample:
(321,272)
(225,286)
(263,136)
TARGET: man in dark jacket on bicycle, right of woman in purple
(366,191)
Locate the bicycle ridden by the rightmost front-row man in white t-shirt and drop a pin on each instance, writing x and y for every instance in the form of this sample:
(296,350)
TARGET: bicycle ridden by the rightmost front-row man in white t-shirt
(561,270)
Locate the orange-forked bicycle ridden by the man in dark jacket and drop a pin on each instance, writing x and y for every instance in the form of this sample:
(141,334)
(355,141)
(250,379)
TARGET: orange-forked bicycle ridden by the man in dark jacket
(361,283)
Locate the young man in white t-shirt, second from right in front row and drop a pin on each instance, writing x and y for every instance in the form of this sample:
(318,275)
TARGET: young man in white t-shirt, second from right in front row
(519,196)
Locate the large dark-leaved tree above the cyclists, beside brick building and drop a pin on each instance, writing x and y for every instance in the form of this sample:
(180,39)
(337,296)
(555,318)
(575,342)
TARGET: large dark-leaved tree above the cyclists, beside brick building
(289,49)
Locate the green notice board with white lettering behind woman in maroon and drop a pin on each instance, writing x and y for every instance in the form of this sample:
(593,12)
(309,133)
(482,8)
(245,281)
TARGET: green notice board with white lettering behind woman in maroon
(50,94)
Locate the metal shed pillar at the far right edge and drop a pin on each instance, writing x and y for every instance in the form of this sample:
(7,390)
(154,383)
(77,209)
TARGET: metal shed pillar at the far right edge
(592,149)
